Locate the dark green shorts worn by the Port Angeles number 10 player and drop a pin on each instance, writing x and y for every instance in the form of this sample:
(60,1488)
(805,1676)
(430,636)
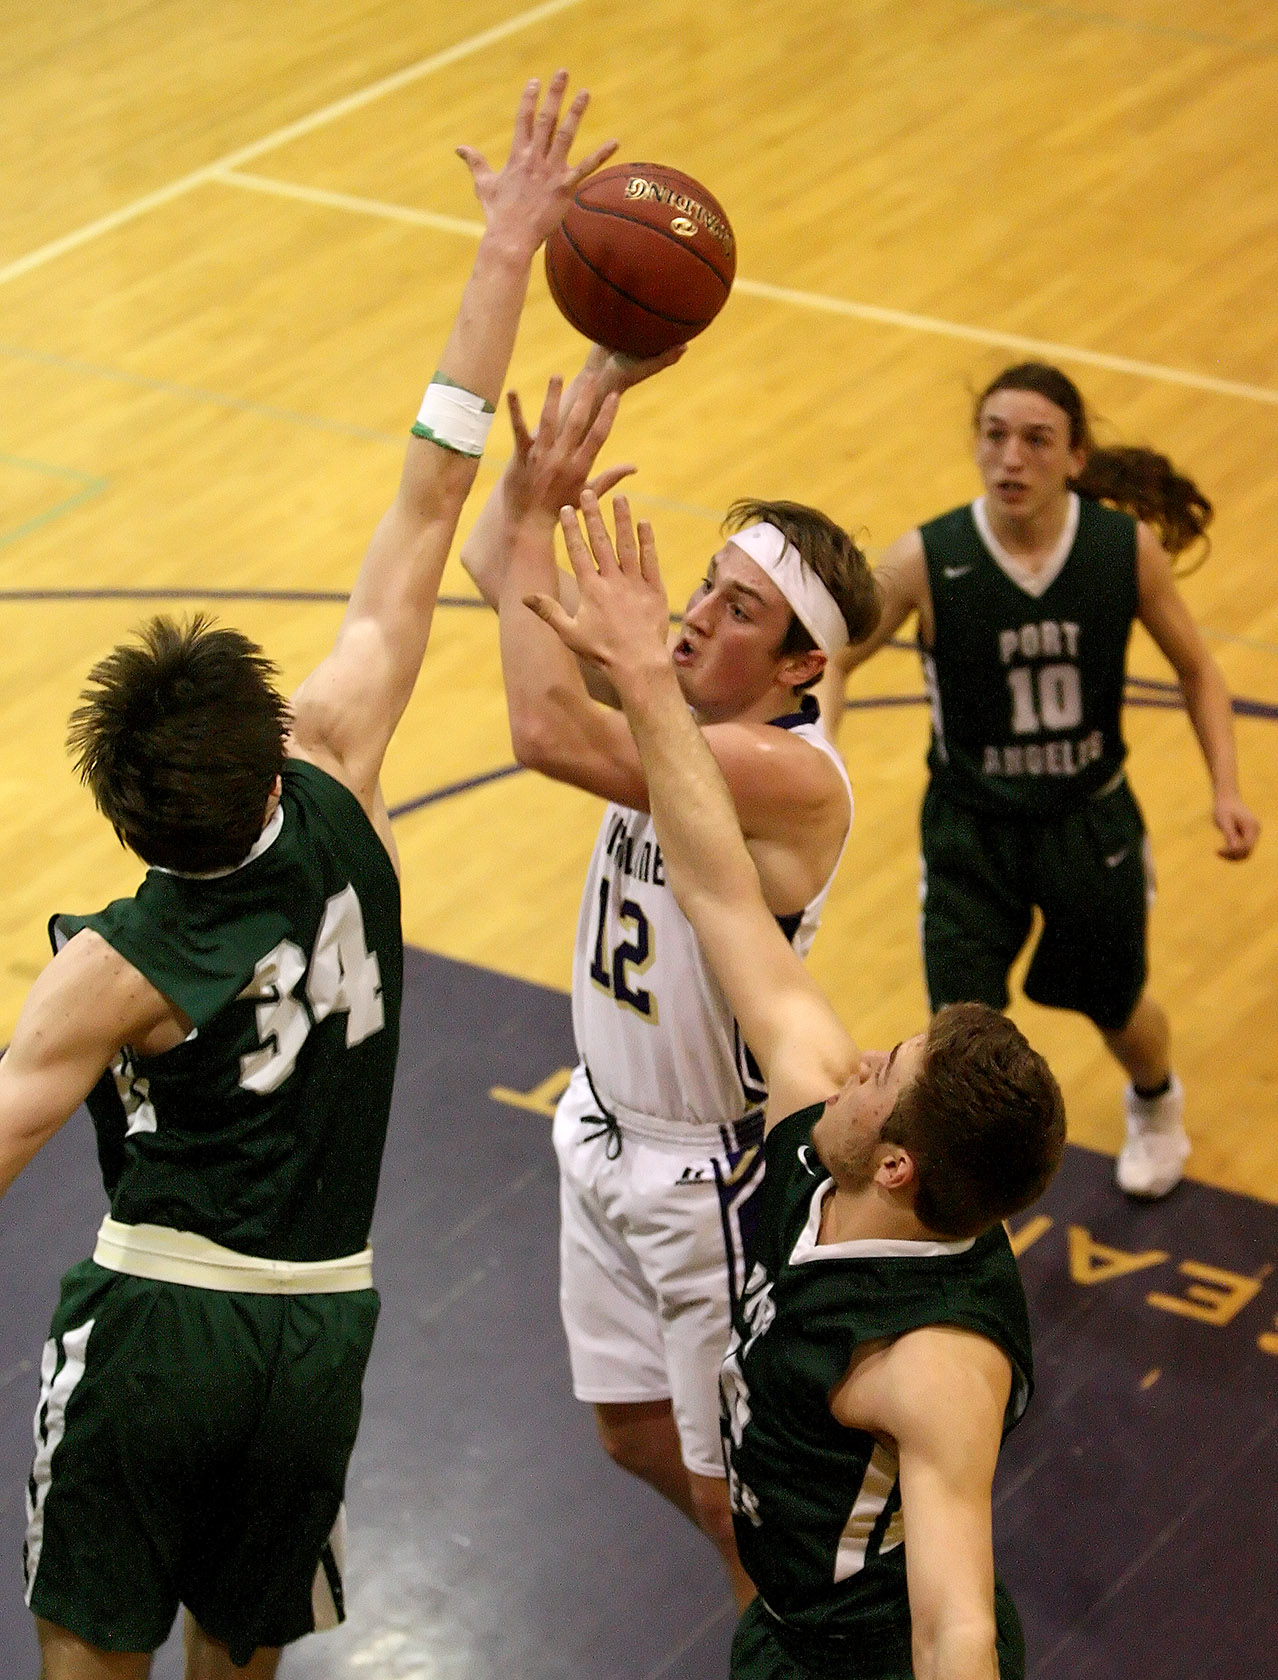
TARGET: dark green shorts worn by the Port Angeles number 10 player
(1087,873)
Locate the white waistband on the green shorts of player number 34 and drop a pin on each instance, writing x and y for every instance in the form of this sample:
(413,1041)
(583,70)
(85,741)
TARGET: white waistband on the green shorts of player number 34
(182,1257)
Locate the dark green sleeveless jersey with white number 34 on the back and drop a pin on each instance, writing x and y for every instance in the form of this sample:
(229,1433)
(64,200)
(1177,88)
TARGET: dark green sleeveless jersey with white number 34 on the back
(265,1128)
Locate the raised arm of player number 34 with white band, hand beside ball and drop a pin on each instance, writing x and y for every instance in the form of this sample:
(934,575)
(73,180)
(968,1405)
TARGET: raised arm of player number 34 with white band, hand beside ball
(348,708)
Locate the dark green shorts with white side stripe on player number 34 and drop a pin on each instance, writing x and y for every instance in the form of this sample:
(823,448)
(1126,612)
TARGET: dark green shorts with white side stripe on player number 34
(192,1449)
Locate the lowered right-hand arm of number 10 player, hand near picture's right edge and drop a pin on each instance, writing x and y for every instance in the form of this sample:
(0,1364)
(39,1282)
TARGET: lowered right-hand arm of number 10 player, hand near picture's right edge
(1166,617)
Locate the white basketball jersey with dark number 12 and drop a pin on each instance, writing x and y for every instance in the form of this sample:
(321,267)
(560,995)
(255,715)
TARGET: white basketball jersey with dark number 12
(651,1021)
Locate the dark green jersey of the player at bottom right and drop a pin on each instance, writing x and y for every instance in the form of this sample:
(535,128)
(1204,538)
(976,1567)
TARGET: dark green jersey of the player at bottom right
(817,1506)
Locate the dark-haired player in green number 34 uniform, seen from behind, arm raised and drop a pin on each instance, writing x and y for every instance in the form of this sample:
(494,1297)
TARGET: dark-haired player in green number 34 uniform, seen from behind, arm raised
(234,1027)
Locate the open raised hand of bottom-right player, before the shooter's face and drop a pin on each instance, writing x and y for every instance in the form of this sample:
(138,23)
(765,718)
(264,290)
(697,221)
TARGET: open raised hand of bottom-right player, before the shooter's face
(622,616)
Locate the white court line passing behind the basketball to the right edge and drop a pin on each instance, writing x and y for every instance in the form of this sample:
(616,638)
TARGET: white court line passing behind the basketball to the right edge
(1032,347)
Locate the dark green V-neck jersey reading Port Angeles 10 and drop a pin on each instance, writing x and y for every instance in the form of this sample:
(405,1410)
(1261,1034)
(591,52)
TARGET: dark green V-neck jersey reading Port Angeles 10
(1027,690)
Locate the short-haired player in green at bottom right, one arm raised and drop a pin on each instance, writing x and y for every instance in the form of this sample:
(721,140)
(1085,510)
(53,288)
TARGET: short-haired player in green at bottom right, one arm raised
(883,1347)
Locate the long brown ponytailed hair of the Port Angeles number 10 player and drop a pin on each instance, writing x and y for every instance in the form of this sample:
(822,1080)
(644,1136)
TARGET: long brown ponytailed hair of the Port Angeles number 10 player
(1138,481)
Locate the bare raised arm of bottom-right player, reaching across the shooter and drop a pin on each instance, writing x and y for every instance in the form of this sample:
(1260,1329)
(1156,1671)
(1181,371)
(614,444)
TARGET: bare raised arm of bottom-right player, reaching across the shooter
(622,626)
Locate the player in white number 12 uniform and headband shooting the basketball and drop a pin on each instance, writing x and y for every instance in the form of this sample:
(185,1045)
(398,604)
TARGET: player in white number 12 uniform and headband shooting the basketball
(661,1126)
